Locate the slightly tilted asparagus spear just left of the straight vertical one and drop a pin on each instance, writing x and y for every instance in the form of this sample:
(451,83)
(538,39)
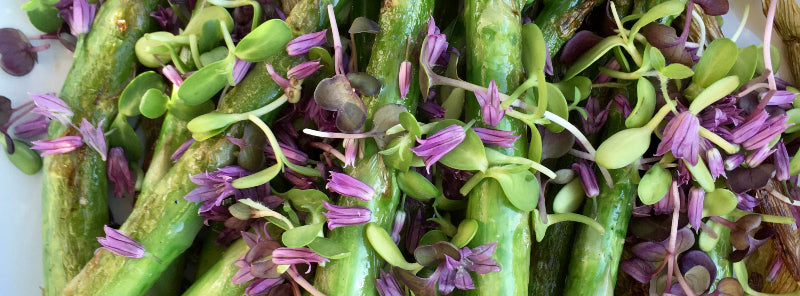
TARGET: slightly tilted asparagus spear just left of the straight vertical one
(356,274)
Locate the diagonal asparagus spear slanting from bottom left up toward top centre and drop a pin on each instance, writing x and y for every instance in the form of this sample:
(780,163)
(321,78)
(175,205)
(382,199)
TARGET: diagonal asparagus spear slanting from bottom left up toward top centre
(163,221)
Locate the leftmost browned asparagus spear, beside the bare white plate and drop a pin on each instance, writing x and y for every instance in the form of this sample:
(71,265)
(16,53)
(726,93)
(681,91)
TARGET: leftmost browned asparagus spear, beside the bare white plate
(74,193)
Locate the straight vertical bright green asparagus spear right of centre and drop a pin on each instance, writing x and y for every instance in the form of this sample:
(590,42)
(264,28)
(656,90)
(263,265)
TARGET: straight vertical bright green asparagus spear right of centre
(493,32)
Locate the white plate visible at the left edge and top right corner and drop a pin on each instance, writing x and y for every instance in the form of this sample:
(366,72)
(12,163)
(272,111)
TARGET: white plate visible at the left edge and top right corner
(20,215)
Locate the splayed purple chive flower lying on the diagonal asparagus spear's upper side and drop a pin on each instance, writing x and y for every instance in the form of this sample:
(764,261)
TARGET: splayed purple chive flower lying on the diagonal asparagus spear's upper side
(215,186)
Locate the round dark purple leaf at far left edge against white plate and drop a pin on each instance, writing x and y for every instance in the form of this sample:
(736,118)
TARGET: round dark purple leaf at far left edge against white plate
(17,58)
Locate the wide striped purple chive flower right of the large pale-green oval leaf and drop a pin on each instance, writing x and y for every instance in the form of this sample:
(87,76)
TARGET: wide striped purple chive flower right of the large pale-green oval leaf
(682,138)
